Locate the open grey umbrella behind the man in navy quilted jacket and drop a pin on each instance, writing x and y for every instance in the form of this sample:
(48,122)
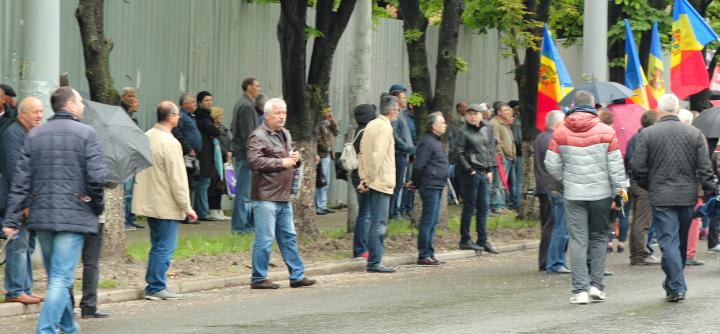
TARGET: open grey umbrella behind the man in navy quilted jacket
(126,147)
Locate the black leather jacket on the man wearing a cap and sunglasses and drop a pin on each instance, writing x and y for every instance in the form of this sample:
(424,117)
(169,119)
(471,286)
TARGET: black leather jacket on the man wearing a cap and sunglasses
(472,148)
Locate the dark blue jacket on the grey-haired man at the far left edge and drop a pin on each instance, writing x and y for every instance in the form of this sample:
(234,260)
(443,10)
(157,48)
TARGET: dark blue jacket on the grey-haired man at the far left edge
(11,144)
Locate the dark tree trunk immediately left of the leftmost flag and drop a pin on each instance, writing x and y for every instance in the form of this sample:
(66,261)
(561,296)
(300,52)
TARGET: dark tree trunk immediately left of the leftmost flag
(527,83)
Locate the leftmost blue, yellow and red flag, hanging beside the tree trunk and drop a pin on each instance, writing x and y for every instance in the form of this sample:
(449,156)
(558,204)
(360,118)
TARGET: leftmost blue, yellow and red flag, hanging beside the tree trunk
(554,80)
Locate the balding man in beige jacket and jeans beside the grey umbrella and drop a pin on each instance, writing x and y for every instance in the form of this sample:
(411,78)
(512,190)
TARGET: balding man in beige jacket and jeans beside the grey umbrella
(161,193)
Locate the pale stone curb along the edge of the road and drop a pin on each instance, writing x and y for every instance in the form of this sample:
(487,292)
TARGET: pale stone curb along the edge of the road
(115,296)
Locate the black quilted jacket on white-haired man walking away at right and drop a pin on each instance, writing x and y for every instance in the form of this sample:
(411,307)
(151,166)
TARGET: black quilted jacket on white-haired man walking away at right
(670,158)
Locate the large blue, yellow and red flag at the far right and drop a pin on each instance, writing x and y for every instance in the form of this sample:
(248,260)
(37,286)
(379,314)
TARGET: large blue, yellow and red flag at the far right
(690,34)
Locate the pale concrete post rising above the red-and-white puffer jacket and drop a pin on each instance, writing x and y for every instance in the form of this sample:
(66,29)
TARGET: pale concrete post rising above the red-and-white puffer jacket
(595,64)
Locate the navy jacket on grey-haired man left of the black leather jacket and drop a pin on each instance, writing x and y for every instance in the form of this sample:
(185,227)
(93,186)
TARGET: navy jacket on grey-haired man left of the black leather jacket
(431,163)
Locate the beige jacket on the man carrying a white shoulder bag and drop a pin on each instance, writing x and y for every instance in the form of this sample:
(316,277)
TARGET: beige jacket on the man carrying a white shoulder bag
(377,156)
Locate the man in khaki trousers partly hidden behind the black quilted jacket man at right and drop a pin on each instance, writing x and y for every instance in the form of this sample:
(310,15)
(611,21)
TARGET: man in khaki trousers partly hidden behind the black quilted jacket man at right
(642,213)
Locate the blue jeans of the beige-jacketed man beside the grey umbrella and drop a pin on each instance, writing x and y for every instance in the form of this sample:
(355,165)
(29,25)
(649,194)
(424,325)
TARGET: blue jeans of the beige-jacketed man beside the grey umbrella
(163,240)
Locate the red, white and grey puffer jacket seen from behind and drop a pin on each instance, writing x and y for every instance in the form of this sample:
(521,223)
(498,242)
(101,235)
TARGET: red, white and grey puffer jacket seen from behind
(585,156)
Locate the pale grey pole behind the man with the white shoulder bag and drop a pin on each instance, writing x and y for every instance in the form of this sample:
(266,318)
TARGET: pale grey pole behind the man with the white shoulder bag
(359,77)
